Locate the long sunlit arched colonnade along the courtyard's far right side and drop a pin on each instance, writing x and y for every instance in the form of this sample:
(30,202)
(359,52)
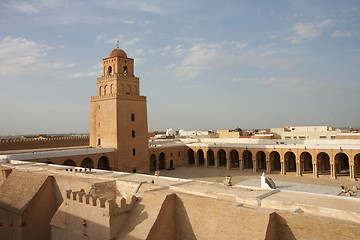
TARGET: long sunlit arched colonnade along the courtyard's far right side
(316,162)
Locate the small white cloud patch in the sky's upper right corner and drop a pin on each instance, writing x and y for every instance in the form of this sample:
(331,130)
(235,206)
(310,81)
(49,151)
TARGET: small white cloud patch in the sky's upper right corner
(308,31)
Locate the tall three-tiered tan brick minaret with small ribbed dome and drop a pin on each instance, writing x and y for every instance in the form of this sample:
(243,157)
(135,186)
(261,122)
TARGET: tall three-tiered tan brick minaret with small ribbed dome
(118,114)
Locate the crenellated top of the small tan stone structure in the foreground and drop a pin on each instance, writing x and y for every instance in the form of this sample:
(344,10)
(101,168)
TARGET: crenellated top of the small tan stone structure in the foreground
(113,207)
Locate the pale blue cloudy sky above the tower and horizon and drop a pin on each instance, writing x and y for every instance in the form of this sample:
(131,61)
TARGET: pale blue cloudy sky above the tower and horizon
(202,64)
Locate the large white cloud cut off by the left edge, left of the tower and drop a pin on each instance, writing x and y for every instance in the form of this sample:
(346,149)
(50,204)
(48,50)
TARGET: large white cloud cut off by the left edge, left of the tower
(19,56)
